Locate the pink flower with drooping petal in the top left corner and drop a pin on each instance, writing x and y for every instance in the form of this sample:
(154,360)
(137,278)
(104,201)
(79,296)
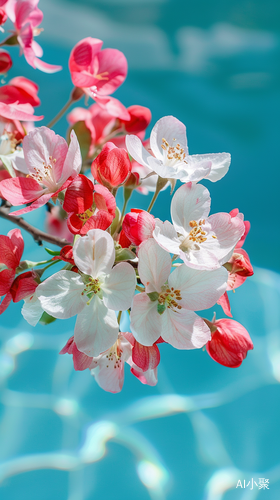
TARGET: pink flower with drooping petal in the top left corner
(26,17)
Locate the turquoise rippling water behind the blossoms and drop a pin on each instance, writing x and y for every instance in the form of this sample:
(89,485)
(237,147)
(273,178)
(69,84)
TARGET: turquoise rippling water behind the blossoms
(215,66)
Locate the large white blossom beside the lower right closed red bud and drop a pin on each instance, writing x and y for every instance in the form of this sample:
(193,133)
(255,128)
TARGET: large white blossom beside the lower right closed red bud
(166,307)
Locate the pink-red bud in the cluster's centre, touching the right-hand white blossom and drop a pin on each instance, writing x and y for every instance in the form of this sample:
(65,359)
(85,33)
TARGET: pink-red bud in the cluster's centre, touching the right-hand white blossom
(138,226)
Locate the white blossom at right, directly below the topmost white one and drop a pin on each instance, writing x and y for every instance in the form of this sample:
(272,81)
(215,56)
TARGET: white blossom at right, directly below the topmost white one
(202,242)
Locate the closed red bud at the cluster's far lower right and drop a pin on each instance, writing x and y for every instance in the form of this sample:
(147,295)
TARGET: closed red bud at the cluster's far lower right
(230,343)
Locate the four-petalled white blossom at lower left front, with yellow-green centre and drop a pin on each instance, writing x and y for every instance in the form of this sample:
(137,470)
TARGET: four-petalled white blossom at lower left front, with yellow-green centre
(94,294)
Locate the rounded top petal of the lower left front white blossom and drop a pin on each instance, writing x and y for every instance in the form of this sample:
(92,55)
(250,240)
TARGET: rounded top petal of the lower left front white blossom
(94,253)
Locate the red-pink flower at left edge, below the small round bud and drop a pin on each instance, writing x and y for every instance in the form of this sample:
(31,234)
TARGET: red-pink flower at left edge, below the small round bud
(20,90)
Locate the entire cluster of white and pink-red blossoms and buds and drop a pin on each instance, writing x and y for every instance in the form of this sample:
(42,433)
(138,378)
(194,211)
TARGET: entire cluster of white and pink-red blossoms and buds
(158,274)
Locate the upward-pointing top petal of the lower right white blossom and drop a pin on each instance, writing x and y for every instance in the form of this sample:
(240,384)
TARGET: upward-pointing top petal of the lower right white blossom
(154,265)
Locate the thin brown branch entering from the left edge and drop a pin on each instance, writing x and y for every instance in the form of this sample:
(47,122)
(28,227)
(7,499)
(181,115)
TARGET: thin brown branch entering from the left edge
(38,236)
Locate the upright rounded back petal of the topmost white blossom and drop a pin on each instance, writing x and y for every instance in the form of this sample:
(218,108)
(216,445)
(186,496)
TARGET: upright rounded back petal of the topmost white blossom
(170,129)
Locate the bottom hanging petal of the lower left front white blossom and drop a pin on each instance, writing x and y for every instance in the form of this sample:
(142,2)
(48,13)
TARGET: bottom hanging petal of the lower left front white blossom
(96,328)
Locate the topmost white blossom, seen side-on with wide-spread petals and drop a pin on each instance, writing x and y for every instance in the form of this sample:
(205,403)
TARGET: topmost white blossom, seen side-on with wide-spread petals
(170,158)
